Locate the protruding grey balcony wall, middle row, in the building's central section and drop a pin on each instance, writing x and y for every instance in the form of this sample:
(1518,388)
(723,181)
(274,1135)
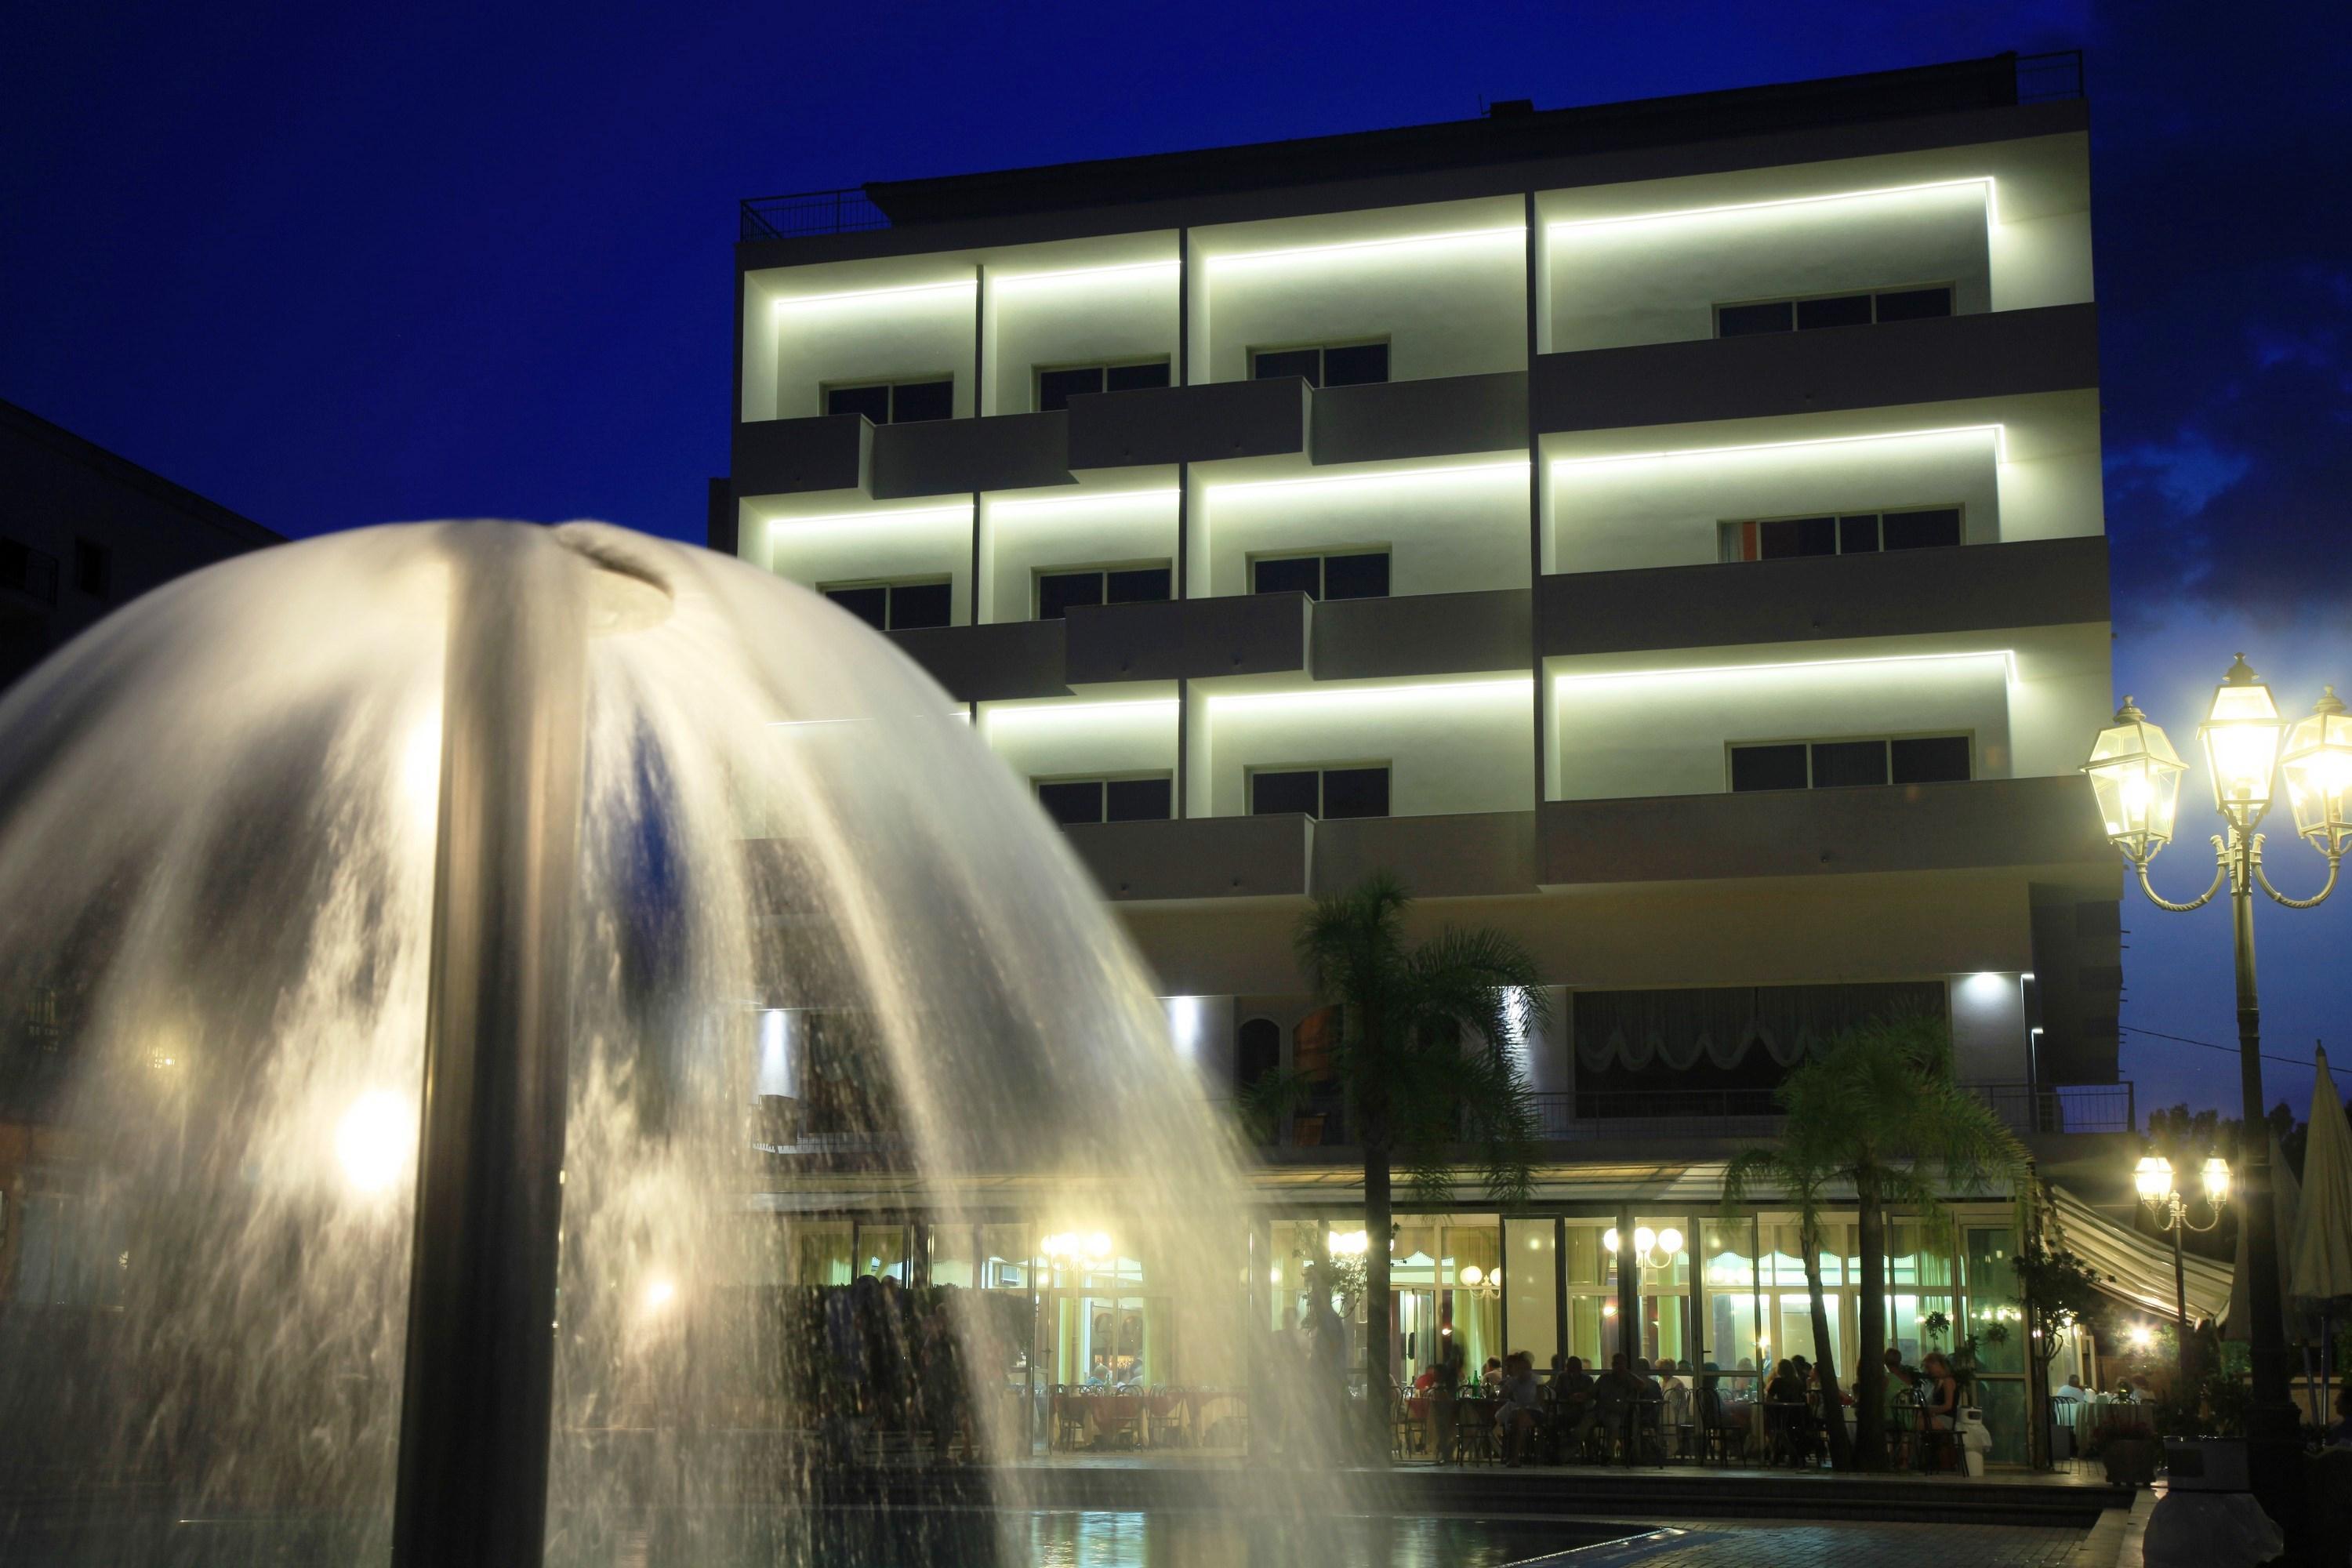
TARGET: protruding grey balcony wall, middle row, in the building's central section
(1264,634)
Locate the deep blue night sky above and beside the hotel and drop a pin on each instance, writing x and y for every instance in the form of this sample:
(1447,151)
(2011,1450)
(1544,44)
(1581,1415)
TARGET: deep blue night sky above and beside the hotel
(349,264)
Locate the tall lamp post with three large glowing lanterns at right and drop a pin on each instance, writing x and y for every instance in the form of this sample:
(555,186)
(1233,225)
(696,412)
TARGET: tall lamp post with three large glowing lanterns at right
(2137,782)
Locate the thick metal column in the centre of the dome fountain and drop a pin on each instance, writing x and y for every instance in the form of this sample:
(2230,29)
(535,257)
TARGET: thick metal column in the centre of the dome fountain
(481,1341)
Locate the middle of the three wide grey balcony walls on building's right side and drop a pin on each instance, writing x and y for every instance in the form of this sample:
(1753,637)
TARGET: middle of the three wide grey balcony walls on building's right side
(1970,589)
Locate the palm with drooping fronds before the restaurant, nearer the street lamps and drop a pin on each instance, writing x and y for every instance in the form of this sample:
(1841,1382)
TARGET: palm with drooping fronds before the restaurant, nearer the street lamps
(1878,1111)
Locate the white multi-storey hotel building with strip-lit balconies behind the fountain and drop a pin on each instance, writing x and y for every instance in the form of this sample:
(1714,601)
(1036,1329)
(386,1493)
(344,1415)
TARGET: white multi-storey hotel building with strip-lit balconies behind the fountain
(1669,532)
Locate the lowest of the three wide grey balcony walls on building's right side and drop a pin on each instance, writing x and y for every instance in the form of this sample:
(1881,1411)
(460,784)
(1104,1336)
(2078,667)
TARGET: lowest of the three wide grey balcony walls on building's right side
(1815,833)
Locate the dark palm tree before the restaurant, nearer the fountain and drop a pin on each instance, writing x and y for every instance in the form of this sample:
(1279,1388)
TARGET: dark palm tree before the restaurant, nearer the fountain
(1424,1064)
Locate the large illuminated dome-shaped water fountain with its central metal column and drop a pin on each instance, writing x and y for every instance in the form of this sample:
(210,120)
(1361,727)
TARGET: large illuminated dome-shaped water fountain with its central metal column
(392,913)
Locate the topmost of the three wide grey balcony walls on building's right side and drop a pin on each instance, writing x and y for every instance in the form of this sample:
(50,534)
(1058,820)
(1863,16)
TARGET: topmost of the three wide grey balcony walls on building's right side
(2050,349)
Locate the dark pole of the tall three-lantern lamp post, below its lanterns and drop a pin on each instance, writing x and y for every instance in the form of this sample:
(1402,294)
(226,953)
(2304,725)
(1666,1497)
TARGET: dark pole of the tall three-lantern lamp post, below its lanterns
(2273,1423)
